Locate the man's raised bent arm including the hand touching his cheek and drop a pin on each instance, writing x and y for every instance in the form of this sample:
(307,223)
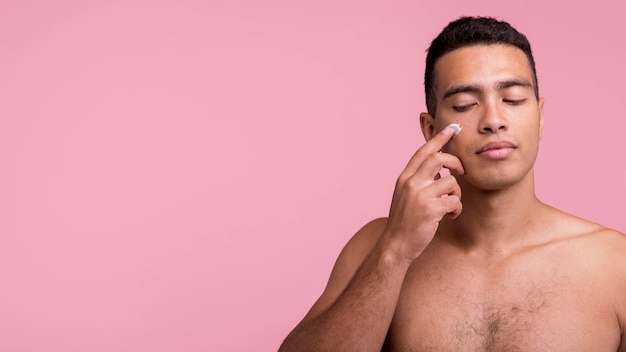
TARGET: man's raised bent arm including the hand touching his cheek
(356,309)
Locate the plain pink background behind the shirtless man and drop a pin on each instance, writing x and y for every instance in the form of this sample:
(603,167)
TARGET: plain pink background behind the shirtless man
(180,175)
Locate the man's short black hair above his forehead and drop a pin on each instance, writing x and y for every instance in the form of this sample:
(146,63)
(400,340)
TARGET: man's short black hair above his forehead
(467,31)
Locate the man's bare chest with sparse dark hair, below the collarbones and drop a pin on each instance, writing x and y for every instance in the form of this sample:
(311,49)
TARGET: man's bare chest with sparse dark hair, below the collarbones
(537,306)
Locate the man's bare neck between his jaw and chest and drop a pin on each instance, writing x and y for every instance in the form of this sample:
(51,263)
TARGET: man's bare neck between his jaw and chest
(496,221)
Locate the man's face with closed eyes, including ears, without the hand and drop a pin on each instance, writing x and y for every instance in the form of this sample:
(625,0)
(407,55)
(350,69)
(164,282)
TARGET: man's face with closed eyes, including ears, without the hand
(488,90)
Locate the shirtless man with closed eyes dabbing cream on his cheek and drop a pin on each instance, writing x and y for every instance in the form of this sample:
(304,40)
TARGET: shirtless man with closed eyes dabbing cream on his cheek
(473,261)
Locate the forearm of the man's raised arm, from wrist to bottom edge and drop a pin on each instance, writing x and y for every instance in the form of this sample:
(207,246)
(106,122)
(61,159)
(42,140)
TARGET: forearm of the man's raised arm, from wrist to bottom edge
(360,317)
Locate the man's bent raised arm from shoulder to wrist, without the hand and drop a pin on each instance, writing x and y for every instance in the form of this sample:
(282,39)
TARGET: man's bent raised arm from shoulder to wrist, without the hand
(355,310)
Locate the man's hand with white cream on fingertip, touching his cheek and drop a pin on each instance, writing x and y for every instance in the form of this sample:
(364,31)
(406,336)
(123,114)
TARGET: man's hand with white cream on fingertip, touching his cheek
(422,197)
